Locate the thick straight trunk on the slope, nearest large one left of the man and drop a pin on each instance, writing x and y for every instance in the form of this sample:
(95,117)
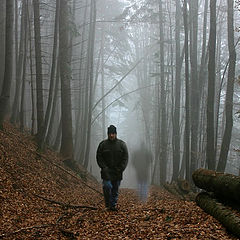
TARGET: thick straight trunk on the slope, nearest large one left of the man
(65,73)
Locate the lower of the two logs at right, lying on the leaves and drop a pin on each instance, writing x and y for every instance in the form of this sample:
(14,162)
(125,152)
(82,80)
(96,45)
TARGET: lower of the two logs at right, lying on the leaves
(224,215)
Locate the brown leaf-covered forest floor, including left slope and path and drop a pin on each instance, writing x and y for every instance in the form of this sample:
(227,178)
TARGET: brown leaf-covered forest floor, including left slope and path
(40,198)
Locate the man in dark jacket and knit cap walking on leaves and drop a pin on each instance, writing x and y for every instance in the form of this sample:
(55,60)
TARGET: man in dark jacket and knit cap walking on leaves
(112,158)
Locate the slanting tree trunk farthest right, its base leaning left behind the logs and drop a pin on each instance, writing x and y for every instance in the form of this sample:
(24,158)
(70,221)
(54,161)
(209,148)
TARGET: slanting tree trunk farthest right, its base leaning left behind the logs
(229,95)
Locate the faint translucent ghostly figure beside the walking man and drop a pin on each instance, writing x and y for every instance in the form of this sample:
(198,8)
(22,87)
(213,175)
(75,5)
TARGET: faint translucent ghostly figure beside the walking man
(141,160)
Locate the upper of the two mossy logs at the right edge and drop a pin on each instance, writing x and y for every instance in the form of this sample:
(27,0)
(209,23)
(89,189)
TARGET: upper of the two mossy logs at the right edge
(225,186)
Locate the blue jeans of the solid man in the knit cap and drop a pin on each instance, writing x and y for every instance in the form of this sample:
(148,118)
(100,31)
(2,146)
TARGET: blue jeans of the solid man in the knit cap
(110,192)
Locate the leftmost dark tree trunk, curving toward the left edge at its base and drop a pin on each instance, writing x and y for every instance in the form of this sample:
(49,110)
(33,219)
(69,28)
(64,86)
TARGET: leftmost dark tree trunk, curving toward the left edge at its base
(5,93)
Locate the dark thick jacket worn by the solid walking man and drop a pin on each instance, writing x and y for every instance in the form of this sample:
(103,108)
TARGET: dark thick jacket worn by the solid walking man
(112,158)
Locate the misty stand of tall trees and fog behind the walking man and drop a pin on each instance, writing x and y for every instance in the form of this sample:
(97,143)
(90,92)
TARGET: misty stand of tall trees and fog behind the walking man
(162,71)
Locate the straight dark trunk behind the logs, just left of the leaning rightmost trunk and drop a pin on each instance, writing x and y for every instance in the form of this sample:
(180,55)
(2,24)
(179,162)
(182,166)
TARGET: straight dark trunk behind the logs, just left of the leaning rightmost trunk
(210,154)
